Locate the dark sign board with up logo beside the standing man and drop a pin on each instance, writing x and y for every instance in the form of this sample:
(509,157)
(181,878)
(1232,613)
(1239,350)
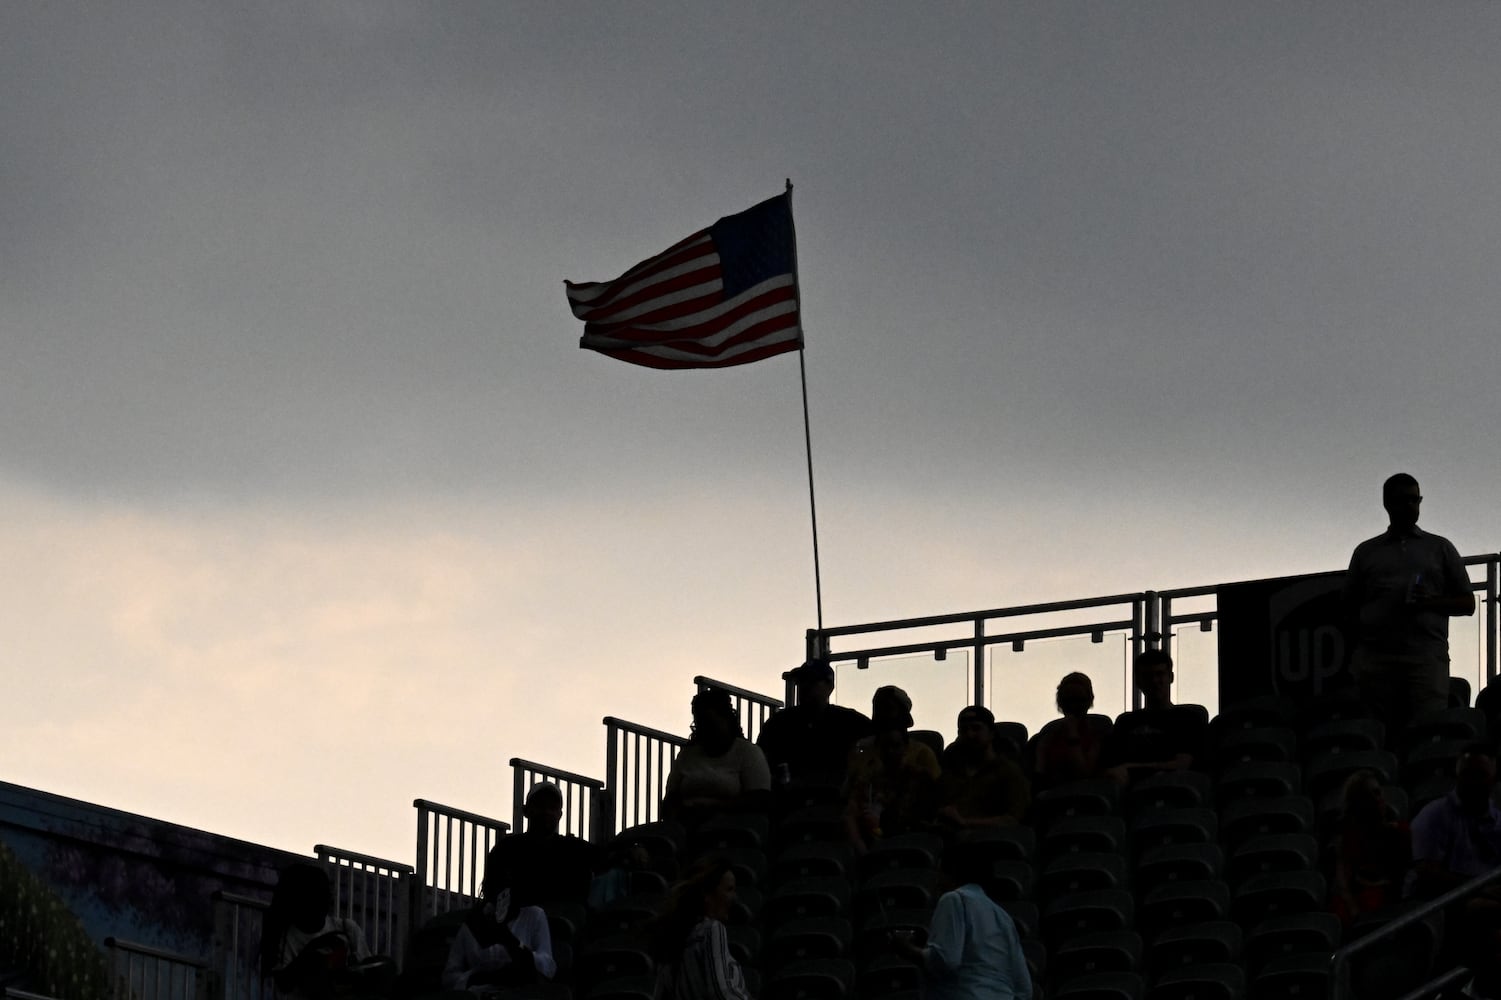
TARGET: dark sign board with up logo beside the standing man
(1284,637)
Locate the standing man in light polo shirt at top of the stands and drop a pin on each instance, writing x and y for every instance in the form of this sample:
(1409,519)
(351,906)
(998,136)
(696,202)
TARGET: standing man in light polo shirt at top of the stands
(1401,591)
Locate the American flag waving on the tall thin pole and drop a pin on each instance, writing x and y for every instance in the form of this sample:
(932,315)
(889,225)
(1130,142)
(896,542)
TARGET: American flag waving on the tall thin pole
(723,297)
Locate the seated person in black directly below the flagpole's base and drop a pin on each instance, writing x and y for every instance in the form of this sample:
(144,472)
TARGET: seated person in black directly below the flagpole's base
(813,739)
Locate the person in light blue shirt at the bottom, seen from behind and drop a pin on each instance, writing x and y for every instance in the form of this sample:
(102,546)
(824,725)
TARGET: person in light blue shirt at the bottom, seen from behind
(973,951)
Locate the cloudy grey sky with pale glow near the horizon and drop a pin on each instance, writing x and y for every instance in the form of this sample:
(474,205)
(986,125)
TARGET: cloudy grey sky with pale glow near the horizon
(302,469)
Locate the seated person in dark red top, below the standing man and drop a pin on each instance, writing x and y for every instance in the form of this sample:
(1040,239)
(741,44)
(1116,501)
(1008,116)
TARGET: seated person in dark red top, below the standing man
(1371,852)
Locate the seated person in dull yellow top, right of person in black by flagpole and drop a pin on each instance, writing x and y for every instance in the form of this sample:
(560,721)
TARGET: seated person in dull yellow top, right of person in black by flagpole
(894,782)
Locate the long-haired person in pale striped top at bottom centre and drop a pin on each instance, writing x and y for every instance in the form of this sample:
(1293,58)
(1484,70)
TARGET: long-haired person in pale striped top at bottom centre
(690,942)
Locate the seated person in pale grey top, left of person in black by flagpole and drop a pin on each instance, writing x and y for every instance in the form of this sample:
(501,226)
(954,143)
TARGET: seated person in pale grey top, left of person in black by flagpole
(720,771)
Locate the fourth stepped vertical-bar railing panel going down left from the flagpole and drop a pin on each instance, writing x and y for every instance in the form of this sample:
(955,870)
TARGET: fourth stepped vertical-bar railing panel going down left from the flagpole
(448,875)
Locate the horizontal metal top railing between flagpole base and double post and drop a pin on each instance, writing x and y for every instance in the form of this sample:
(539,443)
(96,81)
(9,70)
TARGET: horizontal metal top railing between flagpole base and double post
(1131,619)
